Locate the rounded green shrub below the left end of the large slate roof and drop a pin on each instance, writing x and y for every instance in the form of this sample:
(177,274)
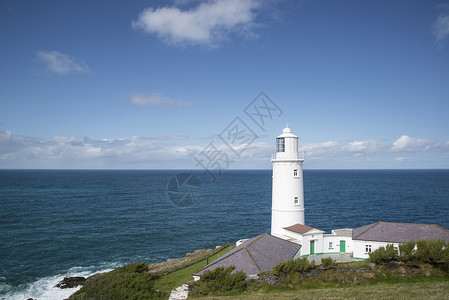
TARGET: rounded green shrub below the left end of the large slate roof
(219,280)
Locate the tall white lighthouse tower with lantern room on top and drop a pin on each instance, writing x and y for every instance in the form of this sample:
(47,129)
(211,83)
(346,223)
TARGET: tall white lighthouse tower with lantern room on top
(288,193)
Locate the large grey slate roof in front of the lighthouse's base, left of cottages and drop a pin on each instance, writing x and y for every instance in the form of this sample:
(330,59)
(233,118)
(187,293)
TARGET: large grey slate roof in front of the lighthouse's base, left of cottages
(255,255)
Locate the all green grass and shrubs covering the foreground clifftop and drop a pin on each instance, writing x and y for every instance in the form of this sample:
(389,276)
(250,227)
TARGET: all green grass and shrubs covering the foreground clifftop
(417,270)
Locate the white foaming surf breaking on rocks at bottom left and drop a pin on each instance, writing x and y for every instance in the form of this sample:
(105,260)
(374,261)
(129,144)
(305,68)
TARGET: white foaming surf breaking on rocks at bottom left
(44,288)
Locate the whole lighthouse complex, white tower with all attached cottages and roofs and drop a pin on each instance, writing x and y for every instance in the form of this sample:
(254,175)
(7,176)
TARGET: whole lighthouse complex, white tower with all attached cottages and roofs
(291,238)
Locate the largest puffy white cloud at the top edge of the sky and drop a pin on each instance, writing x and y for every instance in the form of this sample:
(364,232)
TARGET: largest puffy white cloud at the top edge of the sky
(206,24)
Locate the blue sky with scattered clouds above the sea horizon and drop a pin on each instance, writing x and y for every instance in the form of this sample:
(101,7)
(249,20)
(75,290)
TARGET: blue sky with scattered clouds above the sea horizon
(190,84)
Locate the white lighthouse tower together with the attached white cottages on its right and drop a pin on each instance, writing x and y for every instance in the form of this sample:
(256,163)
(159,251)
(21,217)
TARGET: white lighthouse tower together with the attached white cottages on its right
(288,222)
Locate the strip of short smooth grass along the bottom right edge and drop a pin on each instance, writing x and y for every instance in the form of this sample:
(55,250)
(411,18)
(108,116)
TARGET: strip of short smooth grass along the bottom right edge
(426,289)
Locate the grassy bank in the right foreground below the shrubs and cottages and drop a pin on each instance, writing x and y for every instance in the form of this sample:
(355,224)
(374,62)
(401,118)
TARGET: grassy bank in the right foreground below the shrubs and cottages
(357,280)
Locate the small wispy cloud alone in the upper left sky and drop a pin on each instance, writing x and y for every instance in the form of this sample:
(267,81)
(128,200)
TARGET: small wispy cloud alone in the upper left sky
(62,64)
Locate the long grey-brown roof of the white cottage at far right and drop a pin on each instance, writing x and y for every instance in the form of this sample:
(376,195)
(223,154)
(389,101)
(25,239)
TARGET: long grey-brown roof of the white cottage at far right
(400,232)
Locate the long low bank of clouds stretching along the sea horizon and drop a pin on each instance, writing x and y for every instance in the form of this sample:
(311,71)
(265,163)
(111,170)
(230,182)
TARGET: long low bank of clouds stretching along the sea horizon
(177,152)
